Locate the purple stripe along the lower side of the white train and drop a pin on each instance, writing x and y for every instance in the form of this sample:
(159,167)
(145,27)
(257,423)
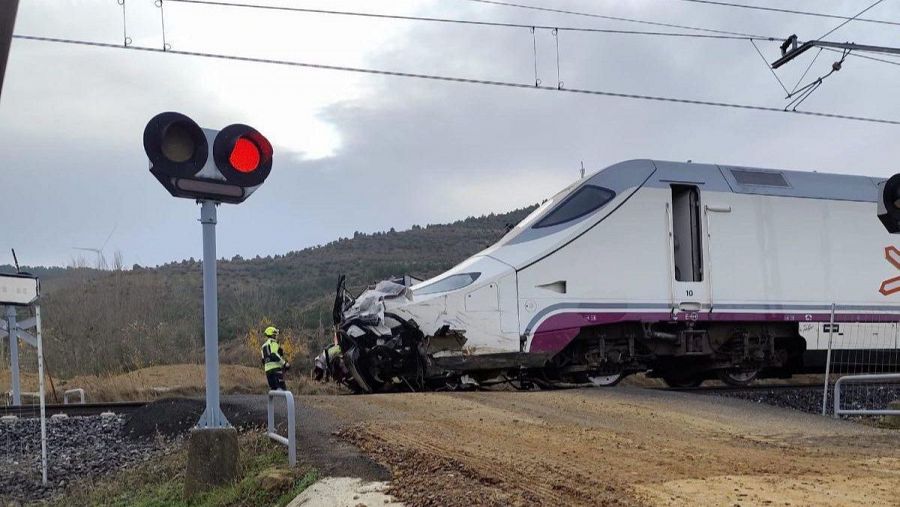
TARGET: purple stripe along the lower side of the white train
(555,332)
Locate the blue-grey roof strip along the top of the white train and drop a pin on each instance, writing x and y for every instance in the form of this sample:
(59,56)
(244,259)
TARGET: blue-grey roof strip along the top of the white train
(753,180)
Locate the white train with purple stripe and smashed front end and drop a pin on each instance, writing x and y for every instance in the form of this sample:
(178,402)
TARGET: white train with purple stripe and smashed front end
(688,271)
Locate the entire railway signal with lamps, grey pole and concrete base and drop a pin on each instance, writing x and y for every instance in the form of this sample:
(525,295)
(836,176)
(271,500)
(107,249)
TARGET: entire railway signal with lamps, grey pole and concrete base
(210,167)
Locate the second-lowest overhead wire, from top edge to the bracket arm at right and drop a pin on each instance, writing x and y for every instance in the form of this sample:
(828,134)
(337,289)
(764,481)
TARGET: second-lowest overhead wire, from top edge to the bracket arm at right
(455,21)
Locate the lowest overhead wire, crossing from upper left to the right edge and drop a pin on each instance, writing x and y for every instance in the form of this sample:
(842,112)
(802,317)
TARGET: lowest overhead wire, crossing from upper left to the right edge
(434,77)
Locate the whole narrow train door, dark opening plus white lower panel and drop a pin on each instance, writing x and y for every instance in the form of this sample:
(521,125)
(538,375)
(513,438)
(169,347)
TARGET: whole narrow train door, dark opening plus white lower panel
(689,290)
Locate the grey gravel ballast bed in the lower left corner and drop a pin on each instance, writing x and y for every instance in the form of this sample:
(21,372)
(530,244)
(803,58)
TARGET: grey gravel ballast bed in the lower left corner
(78,447)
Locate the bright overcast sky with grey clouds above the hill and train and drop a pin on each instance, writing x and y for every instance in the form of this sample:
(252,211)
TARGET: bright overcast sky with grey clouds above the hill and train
(366,153)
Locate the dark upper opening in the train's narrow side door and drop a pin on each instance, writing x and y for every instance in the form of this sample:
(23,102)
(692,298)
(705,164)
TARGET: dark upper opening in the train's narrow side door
(686,236)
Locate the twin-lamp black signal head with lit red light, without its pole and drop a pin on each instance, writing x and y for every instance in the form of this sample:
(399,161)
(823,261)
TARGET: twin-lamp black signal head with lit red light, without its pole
(178,150)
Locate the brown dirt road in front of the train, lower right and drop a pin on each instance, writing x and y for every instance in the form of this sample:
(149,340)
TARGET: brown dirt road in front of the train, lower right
(622,446)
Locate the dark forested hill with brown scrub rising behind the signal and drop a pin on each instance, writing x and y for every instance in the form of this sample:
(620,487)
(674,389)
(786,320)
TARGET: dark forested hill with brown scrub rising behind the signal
(96,321)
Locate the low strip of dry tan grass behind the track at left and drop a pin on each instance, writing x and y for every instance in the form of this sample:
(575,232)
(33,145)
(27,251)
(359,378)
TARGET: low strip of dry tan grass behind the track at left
(167,381)
